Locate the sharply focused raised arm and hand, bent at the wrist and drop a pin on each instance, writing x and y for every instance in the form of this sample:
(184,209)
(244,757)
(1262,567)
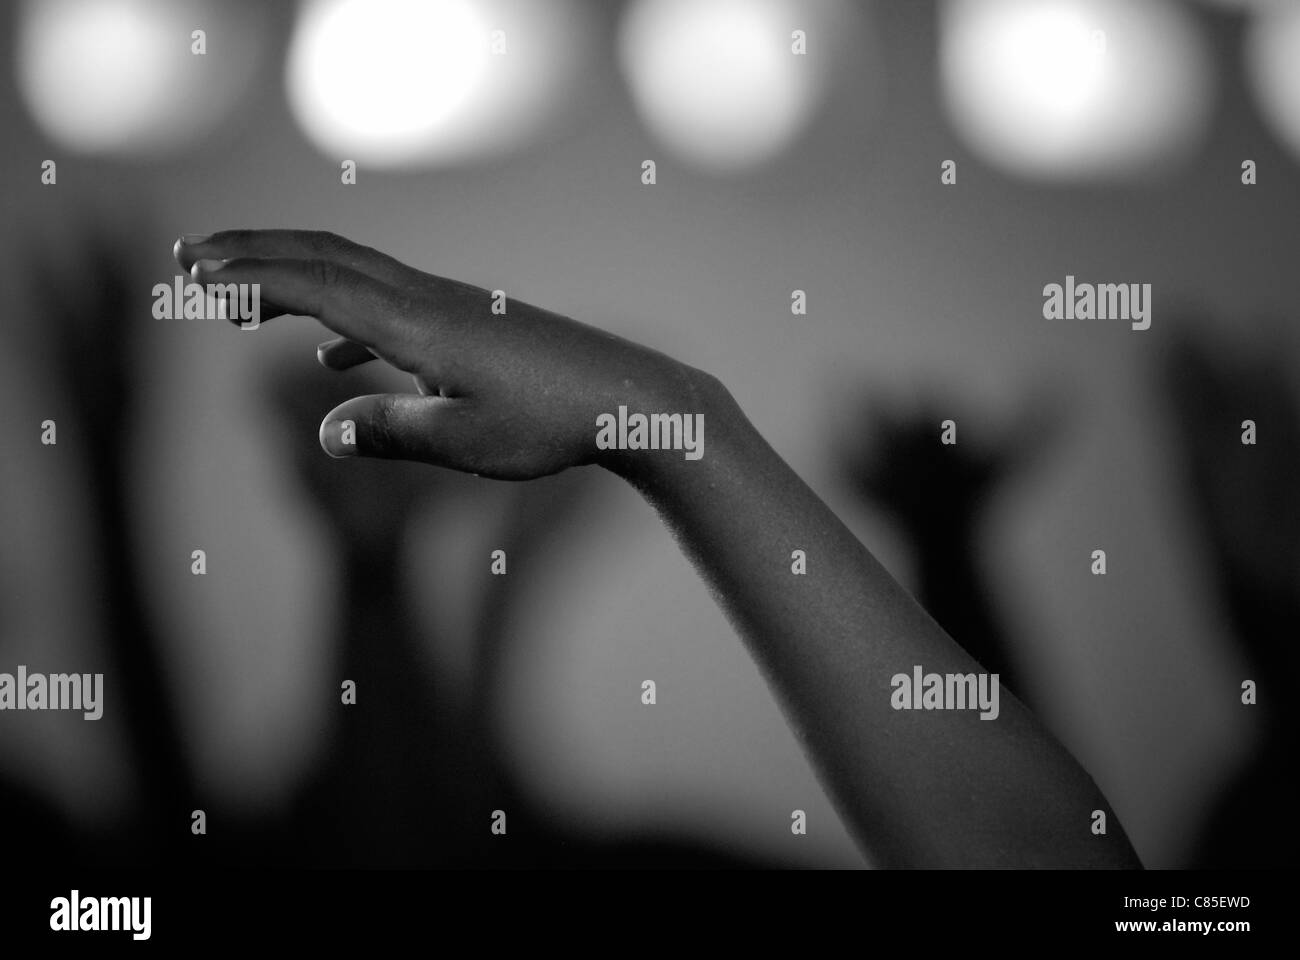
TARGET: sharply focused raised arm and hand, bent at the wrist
(518,397)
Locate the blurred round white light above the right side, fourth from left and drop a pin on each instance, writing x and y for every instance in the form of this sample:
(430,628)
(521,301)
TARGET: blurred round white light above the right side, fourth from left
(1074,89)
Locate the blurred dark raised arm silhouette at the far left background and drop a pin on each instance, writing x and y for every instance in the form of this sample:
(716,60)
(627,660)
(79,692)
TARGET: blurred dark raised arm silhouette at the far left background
(86,344)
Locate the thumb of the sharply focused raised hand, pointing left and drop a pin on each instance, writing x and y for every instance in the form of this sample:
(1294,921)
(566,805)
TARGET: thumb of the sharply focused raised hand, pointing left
(397,427)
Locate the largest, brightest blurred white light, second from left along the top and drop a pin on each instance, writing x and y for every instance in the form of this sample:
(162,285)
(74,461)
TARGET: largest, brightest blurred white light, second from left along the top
(409,83)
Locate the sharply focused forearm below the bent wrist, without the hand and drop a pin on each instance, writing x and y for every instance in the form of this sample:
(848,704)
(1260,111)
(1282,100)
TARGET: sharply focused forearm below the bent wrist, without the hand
(918,788)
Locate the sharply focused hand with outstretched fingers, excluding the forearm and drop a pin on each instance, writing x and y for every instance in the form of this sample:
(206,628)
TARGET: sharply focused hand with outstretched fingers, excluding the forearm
(510,397)
